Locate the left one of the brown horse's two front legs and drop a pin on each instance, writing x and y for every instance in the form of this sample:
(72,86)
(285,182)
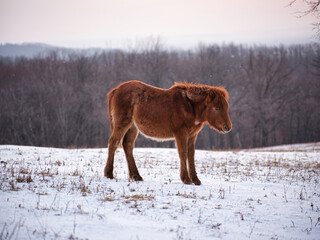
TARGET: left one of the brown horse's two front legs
(181,143)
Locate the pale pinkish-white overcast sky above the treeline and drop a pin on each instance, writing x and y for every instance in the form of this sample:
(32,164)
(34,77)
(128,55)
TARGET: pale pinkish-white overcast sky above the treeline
(179,23)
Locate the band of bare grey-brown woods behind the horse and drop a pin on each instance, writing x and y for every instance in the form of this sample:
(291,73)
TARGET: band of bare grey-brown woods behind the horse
(59,99)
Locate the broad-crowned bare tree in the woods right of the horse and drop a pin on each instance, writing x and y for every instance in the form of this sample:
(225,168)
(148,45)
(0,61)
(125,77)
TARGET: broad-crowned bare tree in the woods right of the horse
(268,74)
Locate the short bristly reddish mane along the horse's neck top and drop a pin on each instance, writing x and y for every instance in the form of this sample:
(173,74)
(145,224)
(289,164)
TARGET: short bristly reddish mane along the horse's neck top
(201,89)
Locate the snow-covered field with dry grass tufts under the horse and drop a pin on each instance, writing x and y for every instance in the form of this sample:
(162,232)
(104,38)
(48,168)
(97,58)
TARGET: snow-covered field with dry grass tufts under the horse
(267,193)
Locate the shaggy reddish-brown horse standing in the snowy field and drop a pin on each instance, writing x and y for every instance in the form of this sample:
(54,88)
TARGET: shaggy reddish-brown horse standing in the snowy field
(176,114)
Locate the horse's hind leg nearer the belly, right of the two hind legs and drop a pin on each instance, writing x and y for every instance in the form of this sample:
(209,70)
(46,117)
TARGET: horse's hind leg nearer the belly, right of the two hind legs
(128,145)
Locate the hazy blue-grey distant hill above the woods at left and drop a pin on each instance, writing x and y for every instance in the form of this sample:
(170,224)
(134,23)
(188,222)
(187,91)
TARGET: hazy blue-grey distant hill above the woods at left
(30,50)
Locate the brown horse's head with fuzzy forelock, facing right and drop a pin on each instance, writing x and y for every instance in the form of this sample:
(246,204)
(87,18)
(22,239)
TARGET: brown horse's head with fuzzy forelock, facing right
(214,108)
